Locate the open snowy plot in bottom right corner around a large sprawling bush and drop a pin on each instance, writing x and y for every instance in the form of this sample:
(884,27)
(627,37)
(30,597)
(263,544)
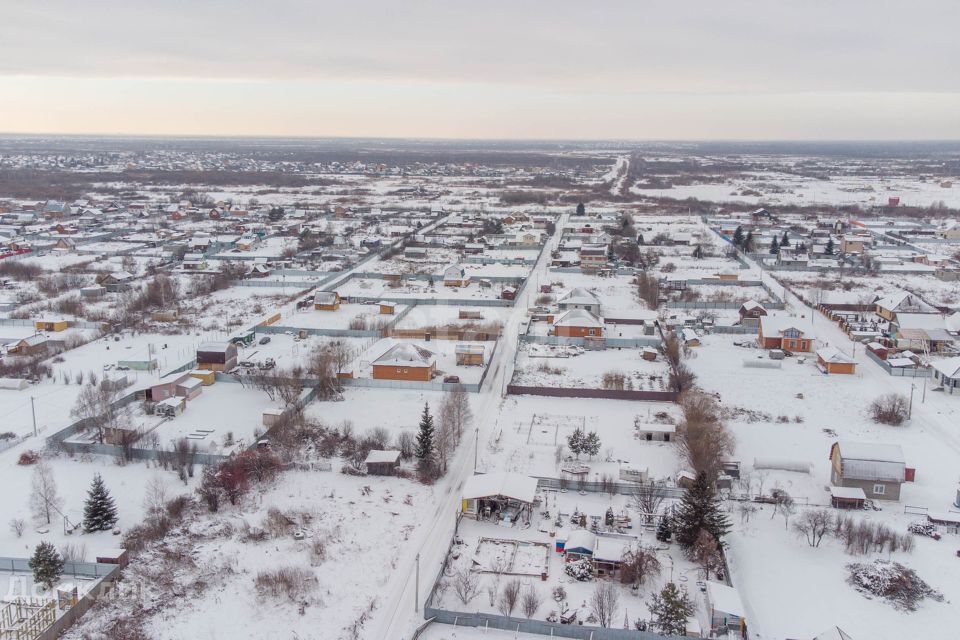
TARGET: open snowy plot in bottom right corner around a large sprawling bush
(762,552)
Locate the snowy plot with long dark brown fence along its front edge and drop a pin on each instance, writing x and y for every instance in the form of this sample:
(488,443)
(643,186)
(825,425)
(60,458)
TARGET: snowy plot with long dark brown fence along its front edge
(606,369)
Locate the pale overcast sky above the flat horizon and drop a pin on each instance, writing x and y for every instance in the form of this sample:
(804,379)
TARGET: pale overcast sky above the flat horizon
(730,69)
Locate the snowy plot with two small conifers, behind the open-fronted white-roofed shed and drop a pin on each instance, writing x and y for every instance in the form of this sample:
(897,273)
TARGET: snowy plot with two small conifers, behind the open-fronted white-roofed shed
(519,420)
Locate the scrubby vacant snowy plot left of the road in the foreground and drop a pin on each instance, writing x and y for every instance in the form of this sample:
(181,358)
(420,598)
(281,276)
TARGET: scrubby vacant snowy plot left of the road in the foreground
(339,538)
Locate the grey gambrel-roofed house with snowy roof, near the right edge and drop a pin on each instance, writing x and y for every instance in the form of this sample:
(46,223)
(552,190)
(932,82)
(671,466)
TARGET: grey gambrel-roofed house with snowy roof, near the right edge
(876,468)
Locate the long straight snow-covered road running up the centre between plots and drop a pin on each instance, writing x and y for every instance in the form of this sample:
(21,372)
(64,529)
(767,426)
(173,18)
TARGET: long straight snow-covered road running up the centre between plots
(402,601)
